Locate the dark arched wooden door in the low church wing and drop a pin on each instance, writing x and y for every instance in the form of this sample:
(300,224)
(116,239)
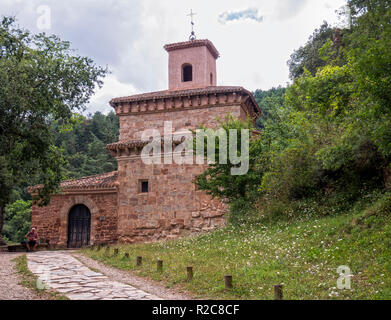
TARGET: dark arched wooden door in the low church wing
(79,226)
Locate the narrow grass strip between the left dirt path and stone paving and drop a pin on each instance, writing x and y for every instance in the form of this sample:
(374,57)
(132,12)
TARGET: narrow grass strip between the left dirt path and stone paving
(29,280)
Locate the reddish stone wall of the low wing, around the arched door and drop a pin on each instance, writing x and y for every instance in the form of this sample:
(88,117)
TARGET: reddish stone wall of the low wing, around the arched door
(52,221)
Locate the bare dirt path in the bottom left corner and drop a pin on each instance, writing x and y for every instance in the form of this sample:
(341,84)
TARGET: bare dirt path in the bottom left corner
(10,289)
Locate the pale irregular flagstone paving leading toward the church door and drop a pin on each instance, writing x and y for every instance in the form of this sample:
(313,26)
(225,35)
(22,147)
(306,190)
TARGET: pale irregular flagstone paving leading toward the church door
(68,276)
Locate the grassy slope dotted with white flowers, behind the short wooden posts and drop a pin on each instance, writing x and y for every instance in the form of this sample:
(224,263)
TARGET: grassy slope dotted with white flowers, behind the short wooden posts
(302,254)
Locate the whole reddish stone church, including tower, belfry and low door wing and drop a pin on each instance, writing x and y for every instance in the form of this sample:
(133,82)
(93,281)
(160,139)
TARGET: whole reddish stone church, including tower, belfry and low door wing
(142,202)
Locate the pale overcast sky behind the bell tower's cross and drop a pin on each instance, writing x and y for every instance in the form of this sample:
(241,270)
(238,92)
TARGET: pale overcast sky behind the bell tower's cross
(254,37)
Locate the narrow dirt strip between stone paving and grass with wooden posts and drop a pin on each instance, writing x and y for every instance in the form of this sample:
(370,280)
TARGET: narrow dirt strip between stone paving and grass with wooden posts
(153,287)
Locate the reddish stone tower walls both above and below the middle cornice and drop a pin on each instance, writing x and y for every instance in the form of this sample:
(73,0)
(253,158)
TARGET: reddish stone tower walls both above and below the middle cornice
(173,206)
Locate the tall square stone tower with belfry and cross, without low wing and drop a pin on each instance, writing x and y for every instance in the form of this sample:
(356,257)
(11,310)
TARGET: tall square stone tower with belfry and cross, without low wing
(159,200)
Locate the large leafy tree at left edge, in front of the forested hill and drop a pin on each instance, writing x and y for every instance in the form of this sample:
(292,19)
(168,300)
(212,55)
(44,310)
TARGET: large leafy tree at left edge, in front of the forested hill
(41,80)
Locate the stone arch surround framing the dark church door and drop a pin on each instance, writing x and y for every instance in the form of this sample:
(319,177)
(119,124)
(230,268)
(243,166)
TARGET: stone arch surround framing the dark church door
(64,212)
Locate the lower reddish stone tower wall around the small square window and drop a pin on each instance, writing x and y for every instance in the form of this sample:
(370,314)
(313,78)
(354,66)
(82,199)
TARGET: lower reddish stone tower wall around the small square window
(173,206)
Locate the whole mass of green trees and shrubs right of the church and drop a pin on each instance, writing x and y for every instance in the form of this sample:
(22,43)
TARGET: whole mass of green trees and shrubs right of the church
(328,135)
